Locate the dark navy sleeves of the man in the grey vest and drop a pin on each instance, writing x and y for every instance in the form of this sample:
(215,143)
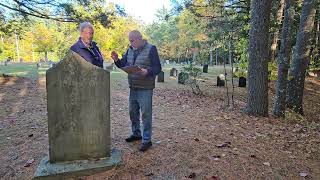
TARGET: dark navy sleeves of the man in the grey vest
(155,62)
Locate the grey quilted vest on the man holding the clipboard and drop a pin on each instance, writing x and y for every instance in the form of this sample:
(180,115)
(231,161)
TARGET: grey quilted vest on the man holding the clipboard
(142,60)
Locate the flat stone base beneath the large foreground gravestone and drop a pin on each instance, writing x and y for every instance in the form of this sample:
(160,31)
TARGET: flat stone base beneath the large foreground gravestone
(63,170)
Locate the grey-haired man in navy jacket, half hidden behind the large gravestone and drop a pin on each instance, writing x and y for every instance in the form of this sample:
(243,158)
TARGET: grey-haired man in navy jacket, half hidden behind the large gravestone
(87,48)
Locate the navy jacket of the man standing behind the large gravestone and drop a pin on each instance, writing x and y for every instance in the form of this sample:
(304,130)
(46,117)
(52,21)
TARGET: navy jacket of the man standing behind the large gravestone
(92,55)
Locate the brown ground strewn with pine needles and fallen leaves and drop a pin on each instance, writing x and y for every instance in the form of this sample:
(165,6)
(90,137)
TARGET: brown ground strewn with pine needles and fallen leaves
(195,137)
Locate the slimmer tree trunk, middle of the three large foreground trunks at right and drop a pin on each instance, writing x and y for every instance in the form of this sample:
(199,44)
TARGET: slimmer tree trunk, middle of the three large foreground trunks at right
(284,60)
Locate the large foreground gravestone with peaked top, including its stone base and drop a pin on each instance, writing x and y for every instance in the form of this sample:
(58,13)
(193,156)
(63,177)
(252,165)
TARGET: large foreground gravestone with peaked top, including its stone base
(78,105)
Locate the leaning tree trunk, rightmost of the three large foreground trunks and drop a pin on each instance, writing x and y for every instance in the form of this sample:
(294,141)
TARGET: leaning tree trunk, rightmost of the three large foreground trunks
(301,57)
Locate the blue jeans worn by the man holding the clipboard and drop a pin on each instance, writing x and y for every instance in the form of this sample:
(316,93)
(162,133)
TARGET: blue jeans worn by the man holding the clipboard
(140,100)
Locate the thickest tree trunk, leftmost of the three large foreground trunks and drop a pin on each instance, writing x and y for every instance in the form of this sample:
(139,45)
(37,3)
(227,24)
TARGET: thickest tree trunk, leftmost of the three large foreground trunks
(258,58)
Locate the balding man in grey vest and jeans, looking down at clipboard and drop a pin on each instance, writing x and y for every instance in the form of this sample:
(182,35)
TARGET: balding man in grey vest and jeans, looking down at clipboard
(145,55)
